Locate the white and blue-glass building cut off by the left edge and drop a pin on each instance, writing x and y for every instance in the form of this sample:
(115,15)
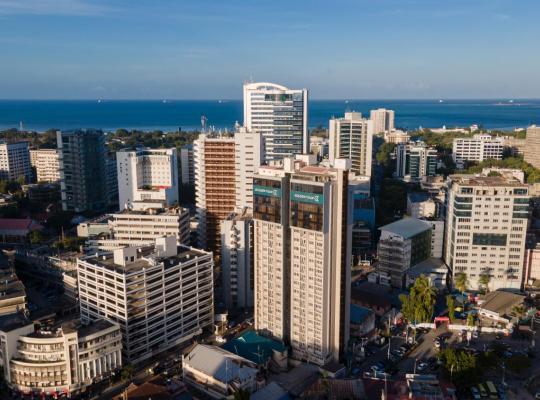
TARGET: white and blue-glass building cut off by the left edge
(15,161)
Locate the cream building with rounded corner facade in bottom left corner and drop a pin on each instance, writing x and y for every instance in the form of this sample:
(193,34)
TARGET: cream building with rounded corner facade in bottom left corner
(61,361)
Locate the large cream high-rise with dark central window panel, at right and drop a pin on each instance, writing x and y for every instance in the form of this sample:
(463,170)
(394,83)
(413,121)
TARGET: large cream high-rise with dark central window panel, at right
(486,228)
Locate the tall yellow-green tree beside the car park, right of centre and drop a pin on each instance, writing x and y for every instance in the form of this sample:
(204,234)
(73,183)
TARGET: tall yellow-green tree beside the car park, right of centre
(419,305)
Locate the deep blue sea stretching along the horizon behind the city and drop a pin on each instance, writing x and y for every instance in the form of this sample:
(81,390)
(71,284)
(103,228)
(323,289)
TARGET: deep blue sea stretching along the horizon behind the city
(169,115)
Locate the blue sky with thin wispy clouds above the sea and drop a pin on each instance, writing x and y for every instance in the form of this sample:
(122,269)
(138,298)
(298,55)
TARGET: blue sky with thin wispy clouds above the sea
(202,49)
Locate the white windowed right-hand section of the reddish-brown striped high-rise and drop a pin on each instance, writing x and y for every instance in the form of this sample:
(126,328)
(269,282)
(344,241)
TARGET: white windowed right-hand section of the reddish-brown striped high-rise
(248,157)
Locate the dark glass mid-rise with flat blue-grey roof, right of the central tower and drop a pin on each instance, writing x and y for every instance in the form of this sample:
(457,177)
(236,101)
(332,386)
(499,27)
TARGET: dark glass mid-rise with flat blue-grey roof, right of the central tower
(402,245)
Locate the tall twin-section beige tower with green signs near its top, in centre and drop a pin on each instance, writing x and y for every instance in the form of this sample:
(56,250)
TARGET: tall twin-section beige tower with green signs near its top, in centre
(302,246)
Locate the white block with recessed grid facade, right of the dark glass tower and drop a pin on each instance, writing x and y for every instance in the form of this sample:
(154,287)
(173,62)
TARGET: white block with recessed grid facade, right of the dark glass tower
(147,176)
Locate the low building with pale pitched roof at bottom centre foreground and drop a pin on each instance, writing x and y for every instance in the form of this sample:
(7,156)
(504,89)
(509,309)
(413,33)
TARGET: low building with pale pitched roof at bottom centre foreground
(217,372)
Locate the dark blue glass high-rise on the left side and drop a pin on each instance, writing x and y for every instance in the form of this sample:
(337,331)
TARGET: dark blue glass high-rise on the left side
(83,171)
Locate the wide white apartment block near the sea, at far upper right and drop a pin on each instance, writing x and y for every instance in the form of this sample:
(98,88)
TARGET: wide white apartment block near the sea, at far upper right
(478,148)
